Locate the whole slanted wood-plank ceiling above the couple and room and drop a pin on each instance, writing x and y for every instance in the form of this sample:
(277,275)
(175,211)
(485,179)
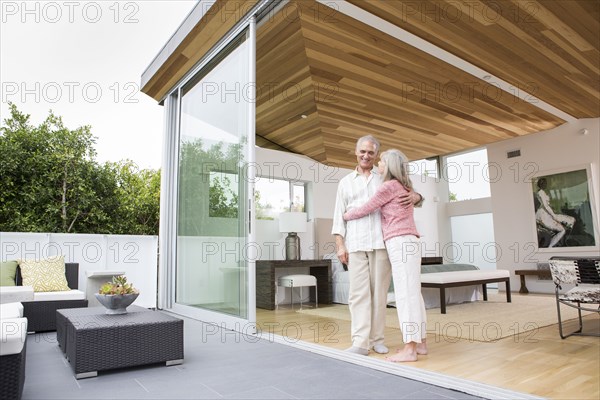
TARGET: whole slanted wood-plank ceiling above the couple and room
(325,79)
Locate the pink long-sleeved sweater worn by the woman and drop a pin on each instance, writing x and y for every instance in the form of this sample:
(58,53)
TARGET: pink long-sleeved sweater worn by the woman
(396,220)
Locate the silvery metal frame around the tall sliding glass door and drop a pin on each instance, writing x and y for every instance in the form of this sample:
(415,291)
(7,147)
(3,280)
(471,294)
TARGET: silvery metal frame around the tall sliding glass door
(168,261)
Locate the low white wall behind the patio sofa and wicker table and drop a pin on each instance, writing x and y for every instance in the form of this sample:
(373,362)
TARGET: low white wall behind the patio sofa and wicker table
(135,255)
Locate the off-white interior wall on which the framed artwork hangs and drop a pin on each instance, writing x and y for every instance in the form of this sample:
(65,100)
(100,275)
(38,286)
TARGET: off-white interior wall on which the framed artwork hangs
(514,223)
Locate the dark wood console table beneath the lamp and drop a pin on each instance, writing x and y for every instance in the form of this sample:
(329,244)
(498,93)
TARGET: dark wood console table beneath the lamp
(265,280)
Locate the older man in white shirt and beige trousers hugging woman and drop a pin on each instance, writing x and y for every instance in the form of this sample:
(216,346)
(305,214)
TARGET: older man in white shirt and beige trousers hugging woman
(360,245)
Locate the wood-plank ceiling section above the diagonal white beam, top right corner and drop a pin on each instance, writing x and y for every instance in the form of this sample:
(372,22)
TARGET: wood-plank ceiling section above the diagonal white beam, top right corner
(519,52)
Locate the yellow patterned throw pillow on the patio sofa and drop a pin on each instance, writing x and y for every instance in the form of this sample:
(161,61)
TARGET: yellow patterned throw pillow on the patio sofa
(45,275)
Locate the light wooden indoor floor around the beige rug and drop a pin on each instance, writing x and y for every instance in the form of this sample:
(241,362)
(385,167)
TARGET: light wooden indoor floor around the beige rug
(543,364)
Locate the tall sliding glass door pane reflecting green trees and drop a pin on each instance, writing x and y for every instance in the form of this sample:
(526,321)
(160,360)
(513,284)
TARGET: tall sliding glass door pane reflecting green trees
(212,211)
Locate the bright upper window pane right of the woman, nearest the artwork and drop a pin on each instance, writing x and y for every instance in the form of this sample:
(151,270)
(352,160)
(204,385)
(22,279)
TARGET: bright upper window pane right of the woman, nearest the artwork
(467,175)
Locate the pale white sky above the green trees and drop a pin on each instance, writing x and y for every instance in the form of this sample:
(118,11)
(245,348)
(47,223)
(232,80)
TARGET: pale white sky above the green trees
(84,60)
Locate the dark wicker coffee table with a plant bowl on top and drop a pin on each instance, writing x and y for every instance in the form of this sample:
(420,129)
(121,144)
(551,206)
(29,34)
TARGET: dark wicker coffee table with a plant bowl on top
(94,341)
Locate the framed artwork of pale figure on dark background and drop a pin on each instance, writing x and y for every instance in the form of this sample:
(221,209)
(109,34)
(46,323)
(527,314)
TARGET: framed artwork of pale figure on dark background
(564,209)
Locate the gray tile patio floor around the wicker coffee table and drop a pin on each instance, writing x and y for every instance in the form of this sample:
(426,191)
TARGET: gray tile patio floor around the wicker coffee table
(222,365)
